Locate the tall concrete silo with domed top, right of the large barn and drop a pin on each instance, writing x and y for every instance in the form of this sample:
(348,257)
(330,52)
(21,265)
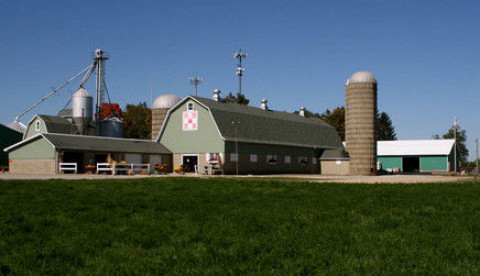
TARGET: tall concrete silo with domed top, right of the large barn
(360,109)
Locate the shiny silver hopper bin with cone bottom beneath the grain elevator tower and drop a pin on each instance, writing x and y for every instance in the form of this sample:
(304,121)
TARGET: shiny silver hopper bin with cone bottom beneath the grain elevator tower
(82,109)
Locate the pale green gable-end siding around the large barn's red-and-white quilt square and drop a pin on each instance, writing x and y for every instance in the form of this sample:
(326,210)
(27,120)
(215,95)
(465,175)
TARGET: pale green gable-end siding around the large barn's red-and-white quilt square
(205,139)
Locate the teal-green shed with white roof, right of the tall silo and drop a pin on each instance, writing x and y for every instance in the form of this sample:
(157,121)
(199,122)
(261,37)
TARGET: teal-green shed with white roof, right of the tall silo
(412,156)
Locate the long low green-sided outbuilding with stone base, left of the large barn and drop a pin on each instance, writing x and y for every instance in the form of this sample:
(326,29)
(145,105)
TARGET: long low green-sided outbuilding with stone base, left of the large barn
(43,152)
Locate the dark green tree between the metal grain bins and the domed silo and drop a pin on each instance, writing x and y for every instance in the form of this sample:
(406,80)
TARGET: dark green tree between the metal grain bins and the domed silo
(138,121)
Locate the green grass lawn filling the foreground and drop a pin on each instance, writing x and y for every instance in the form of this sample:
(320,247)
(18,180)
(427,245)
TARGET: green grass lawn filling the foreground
(228,226)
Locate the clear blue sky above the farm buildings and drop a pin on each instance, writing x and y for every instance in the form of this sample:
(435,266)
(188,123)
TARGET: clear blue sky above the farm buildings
(424,54)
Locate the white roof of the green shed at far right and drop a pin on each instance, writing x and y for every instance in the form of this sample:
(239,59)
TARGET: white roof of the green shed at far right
(415,147)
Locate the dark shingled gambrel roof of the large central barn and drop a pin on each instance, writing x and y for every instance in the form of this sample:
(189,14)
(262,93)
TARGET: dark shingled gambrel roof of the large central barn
(270,127)
